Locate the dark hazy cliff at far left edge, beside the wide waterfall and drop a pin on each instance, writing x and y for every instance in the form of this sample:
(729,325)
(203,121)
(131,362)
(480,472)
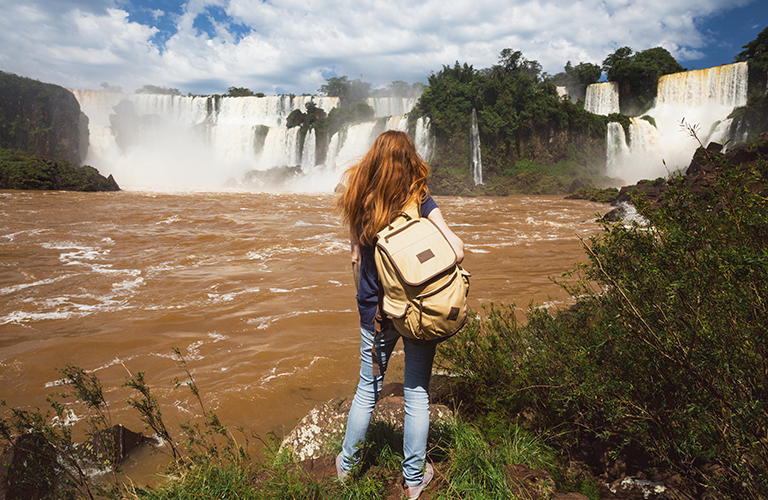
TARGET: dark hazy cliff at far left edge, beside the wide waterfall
(42,119)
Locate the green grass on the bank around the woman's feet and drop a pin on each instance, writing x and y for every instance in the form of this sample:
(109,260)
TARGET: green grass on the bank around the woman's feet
(468,465)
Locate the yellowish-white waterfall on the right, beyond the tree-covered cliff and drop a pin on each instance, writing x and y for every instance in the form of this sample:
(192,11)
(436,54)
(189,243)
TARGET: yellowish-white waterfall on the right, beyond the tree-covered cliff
(659,143)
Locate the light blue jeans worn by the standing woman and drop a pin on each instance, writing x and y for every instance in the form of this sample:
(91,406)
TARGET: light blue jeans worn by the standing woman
(418,368)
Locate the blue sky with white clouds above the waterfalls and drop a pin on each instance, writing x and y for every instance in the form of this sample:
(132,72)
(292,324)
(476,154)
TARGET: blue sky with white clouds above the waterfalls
(291,46)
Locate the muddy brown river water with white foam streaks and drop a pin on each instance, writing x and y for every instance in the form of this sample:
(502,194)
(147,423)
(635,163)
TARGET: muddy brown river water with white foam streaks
(255,289)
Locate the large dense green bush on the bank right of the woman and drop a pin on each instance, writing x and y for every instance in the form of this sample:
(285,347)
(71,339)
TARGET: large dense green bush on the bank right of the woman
(665,348)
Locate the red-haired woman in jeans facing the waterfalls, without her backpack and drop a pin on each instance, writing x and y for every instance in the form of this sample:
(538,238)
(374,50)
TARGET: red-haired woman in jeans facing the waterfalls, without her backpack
(391,174)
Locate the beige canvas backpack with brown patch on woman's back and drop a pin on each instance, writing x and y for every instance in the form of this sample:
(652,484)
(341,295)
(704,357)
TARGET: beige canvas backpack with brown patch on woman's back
(423,290)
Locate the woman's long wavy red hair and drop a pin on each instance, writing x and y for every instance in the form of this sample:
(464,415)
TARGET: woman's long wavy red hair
(390,174)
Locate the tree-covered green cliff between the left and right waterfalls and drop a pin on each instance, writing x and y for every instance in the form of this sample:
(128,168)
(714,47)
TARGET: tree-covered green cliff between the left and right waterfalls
(532,140)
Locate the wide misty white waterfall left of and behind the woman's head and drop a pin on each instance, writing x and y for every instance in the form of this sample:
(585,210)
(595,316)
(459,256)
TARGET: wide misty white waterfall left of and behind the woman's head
(150,141)
